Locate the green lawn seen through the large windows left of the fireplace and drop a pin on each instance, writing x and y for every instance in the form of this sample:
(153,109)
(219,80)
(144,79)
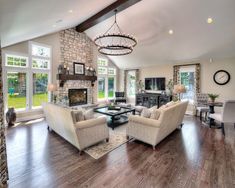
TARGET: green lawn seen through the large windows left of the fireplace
(20,102)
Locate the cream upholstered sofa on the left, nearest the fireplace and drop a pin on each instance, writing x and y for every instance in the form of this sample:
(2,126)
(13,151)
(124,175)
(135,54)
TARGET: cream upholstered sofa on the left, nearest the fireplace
(81,134)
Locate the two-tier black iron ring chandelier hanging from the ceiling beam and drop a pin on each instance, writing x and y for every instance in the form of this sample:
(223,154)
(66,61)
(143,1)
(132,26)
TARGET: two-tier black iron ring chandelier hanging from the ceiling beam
(114,42)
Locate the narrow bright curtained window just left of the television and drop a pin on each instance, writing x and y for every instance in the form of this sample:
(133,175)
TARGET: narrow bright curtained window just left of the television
(131,83)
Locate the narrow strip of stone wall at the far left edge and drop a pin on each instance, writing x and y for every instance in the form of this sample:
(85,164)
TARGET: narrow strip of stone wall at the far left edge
(3,155)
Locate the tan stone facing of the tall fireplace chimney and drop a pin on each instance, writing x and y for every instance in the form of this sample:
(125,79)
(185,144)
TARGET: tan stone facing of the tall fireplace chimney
(77,47)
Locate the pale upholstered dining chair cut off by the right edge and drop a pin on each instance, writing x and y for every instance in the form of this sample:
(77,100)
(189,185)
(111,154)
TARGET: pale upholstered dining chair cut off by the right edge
(227,115)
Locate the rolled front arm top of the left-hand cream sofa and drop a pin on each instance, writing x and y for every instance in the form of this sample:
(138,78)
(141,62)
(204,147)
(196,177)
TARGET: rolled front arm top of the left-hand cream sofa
(91,122)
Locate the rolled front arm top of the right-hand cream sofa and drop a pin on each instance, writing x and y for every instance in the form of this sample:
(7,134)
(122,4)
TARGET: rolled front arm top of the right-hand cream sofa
(144,121)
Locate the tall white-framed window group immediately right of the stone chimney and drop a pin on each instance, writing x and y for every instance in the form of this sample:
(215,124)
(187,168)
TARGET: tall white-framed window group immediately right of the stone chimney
(106,79)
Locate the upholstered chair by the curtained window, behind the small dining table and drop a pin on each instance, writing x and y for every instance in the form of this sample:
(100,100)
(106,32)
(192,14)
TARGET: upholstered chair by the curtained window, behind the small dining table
(200,100)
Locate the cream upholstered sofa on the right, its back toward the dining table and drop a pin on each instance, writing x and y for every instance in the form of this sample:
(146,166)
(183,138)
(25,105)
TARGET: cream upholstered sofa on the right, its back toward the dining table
(152,131)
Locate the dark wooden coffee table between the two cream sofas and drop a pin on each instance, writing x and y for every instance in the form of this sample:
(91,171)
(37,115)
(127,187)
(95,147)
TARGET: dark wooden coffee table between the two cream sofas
(116,117)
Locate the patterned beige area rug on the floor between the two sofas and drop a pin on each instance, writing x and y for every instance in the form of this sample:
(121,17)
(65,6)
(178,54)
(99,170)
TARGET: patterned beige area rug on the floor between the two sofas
(116,139)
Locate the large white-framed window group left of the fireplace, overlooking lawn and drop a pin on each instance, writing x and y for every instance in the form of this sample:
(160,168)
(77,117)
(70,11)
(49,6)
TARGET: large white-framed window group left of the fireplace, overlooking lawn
(27,77)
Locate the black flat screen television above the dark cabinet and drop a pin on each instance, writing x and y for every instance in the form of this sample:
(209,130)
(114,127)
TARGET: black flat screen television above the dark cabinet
(155,84)
